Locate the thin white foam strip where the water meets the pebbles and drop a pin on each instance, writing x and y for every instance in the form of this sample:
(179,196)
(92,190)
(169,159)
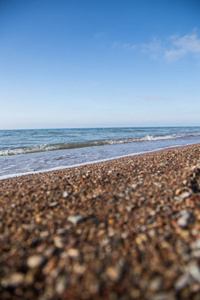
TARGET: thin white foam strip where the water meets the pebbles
(4,177)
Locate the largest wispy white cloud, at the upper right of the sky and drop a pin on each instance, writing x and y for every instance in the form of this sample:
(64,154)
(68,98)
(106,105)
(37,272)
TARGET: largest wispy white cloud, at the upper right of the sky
(173,47)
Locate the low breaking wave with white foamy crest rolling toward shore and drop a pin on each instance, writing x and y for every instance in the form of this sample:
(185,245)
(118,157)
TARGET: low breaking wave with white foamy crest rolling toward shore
(62,146)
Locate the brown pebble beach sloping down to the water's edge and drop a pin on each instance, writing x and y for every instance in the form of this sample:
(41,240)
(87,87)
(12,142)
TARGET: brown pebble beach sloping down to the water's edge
(123,229)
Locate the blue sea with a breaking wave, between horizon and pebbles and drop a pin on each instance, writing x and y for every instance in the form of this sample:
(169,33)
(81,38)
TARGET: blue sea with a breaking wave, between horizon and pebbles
(39,150)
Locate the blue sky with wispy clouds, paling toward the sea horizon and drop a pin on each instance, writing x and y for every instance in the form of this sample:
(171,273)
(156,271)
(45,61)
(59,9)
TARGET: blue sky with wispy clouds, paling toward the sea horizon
(89,63)
